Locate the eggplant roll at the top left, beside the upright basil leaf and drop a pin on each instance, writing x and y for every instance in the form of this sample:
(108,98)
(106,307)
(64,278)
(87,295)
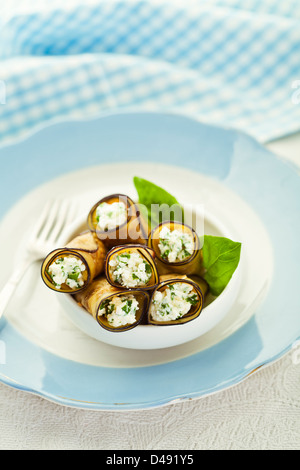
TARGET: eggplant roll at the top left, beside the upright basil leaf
(116,220)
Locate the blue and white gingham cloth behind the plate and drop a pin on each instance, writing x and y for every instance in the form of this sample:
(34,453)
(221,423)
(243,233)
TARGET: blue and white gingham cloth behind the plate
(226,62)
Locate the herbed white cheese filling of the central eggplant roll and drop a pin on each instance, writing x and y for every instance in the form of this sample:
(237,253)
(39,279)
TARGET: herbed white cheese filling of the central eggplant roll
(130,269)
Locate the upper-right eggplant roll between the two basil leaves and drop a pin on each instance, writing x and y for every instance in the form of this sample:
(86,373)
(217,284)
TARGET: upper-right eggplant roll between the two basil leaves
(177,248)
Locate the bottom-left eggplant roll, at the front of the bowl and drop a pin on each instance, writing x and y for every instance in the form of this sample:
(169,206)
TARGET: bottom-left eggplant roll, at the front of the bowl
(114,309)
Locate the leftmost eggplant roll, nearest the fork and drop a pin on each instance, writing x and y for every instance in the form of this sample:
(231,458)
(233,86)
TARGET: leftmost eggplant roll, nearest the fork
(73,267)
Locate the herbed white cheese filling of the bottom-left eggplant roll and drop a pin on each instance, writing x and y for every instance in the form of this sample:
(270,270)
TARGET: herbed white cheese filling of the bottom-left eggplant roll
(120,310)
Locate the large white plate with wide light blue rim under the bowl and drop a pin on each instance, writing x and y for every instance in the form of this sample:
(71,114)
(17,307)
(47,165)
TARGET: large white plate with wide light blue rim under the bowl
(249,190)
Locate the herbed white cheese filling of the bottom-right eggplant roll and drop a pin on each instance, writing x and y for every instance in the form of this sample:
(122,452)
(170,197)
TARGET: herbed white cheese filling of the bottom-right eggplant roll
(173,302)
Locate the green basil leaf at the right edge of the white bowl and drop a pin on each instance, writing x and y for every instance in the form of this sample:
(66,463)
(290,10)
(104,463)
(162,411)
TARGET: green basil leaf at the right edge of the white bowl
(221,257)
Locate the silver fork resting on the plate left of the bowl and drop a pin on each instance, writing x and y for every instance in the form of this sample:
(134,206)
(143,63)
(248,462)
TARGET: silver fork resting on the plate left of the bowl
(49,227)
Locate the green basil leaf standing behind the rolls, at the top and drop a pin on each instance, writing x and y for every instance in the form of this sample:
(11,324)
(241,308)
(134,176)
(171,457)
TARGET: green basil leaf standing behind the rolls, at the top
(159,204)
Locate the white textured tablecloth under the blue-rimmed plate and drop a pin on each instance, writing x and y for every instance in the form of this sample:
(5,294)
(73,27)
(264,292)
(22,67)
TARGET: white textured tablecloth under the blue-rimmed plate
(261,413)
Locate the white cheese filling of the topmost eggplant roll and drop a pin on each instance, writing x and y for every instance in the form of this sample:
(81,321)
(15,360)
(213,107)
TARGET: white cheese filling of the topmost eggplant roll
(110,216)
